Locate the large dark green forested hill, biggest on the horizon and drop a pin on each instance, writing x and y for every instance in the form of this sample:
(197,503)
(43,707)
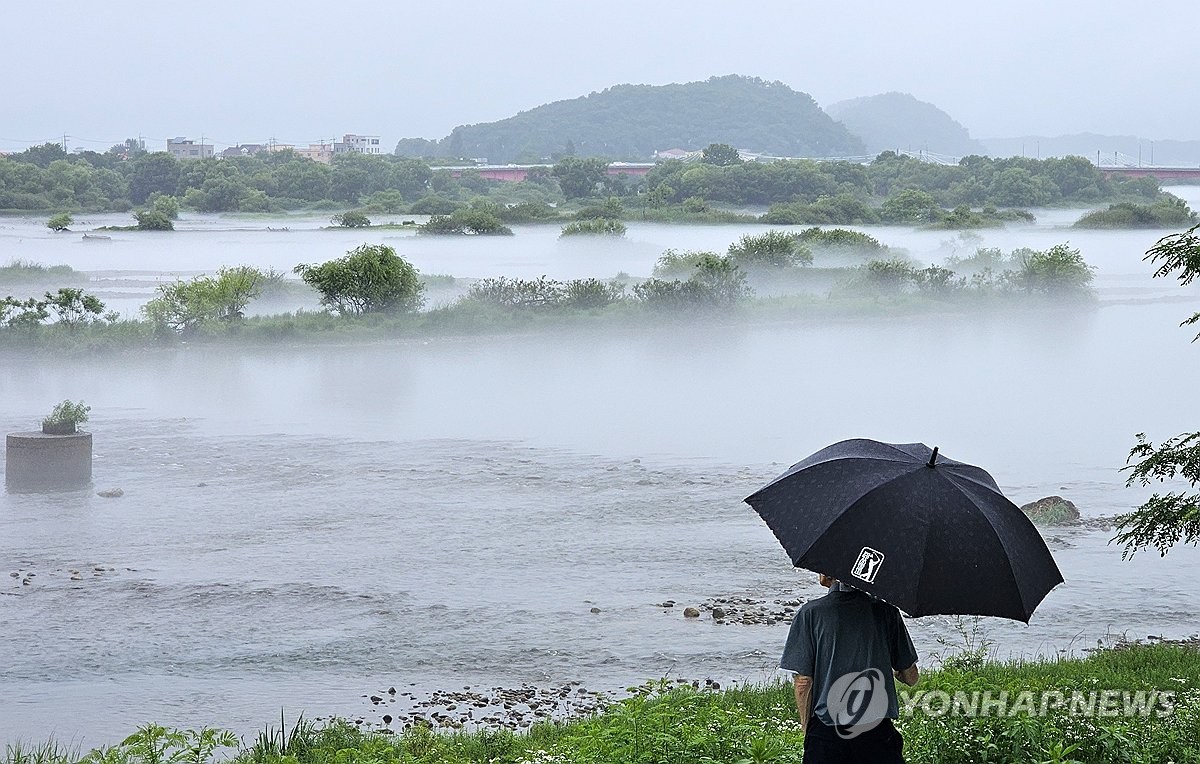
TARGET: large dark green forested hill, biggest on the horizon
(634,122)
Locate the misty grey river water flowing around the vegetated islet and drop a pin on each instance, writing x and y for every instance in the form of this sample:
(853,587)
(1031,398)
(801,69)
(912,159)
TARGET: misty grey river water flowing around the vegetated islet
(305,526)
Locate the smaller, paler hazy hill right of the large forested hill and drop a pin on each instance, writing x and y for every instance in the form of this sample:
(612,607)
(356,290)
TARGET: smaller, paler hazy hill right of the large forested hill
(899,122)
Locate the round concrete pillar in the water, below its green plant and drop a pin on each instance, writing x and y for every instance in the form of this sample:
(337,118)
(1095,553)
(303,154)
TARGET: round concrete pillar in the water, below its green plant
(38,462)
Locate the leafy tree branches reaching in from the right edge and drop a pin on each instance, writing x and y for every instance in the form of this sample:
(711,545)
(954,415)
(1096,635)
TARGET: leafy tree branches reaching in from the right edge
(1173,518)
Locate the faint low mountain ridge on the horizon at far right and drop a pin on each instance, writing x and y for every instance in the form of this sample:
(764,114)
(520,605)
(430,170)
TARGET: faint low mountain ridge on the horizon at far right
(1113,149)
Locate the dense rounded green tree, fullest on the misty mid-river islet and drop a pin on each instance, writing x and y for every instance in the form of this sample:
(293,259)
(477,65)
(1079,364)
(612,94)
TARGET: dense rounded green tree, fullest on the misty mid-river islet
(371,279)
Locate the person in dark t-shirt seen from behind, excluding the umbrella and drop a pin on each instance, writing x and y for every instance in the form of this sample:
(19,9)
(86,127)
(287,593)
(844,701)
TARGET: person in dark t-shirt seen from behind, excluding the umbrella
(845,651)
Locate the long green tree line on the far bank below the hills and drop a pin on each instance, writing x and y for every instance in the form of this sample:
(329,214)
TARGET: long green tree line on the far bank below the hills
(891,189)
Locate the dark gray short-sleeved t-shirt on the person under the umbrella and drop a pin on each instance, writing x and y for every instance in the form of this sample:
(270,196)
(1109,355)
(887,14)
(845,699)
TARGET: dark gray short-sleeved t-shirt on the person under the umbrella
(844,635)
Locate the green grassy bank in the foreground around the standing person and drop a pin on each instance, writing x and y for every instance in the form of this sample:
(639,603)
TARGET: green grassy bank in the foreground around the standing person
(669,725)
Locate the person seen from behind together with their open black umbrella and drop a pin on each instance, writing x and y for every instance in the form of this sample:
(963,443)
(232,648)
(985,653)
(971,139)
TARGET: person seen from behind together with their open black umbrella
(913,533)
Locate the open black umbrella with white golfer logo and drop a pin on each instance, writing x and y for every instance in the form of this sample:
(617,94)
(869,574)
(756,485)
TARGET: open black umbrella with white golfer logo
(925,533)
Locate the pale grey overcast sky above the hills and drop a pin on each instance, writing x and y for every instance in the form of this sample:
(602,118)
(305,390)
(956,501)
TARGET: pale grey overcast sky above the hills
(302,71)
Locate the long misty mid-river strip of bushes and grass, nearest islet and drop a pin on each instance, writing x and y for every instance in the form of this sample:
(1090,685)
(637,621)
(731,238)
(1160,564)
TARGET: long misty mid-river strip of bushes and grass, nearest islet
(373,292)
